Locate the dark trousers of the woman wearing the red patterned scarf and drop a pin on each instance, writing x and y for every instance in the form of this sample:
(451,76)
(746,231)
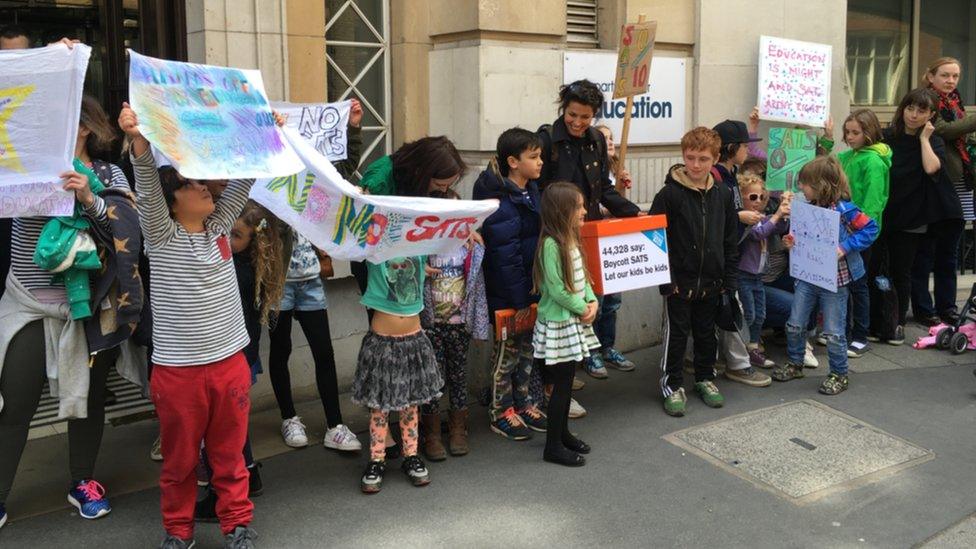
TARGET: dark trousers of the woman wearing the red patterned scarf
(937,254)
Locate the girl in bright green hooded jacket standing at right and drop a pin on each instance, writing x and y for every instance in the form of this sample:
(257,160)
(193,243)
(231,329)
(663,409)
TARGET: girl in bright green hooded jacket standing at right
(866,165)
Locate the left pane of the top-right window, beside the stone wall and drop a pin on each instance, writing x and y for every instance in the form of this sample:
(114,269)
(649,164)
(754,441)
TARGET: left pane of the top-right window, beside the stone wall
(878,52)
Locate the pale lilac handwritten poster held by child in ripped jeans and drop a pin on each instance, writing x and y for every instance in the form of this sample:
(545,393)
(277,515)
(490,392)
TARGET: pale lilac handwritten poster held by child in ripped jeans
(816,232)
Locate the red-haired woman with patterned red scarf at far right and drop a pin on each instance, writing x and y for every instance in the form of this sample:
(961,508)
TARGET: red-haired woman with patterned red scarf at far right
(939,249)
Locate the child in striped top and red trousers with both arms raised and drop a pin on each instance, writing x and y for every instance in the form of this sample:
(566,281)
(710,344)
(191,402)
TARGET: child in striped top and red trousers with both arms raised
(201,378)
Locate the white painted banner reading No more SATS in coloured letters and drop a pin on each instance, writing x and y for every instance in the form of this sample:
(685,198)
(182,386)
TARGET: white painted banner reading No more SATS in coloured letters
(338,218)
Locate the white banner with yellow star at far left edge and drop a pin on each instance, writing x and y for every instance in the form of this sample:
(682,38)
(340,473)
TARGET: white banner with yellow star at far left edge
(40,105)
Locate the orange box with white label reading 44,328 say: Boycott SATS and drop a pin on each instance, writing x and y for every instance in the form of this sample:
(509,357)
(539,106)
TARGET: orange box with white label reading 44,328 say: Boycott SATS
(626,254)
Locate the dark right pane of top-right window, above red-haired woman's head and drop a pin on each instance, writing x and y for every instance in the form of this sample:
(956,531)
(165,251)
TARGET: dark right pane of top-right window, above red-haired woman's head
(946,28)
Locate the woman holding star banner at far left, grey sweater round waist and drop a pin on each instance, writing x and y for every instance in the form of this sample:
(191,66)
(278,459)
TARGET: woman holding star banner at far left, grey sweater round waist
(34,312)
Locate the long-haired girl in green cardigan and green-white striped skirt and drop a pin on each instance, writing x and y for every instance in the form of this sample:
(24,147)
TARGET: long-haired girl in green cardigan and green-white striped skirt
(563,334)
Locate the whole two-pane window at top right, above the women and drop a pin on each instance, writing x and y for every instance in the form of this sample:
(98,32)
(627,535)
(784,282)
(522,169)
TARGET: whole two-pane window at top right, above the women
(891,42)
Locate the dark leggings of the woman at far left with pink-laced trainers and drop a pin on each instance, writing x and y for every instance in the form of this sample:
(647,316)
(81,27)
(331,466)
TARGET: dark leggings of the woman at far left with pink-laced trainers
(21,384)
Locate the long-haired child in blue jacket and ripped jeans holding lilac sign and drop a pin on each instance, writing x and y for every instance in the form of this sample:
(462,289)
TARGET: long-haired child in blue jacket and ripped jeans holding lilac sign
(824,184)
